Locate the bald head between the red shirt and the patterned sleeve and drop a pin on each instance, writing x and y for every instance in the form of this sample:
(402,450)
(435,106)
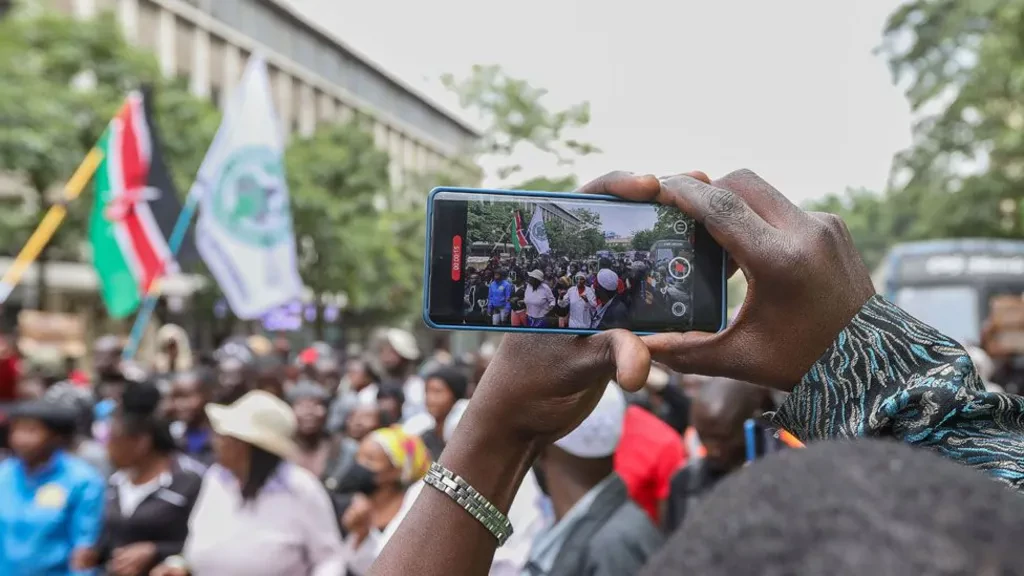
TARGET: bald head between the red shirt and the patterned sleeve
(718,416)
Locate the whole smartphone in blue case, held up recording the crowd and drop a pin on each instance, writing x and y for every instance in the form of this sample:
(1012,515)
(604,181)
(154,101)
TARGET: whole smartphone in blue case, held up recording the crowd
(541,262)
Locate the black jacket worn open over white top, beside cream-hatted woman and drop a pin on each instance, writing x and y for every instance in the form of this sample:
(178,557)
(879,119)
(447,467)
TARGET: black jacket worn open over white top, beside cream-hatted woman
(162,518)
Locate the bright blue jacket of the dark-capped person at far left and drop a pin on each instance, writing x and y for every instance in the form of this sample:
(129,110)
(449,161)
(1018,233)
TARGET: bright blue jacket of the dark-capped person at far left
(48,515)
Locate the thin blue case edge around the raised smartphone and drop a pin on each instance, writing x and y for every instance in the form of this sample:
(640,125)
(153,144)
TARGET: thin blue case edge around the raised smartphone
(536,194)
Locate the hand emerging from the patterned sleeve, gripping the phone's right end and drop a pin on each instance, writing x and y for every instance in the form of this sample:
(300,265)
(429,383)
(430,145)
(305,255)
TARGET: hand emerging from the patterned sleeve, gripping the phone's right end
(805,279)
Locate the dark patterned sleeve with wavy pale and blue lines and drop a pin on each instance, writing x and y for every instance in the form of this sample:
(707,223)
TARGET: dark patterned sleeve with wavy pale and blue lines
(889,375)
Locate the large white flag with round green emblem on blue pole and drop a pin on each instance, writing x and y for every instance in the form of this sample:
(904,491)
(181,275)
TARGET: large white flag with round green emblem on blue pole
(244,231)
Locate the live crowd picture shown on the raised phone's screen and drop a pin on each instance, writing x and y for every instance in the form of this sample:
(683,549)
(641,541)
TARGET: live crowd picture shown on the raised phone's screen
(541,263)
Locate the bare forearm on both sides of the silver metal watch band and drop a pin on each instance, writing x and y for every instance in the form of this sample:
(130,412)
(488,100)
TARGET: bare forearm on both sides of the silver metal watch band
(439,538)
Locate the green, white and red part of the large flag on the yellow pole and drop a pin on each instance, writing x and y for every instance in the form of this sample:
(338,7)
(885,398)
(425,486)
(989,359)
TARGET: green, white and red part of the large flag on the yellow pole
(134,213)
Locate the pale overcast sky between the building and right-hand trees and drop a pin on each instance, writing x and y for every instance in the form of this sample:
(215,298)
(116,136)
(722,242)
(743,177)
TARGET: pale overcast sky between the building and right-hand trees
(790,89)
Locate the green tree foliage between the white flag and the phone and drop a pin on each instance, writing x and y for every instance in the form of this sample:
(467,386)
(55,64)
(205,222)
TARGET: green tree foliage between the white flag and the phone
(338,180)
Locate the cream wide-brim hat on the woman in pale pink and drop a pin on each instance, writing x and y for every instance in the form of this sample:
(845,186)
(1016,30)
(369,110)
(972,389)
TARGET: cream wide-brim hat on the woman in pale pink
(259,419)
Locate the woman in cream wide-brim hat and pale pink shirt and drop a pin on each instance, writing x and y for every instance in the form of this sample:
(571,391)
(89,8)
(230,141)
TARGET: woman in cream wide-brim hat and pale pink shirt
(258,514)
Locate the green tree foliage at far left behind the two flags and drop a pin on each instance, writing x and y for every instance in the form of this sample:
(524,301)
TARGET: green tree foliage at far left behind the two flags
(64,79)
